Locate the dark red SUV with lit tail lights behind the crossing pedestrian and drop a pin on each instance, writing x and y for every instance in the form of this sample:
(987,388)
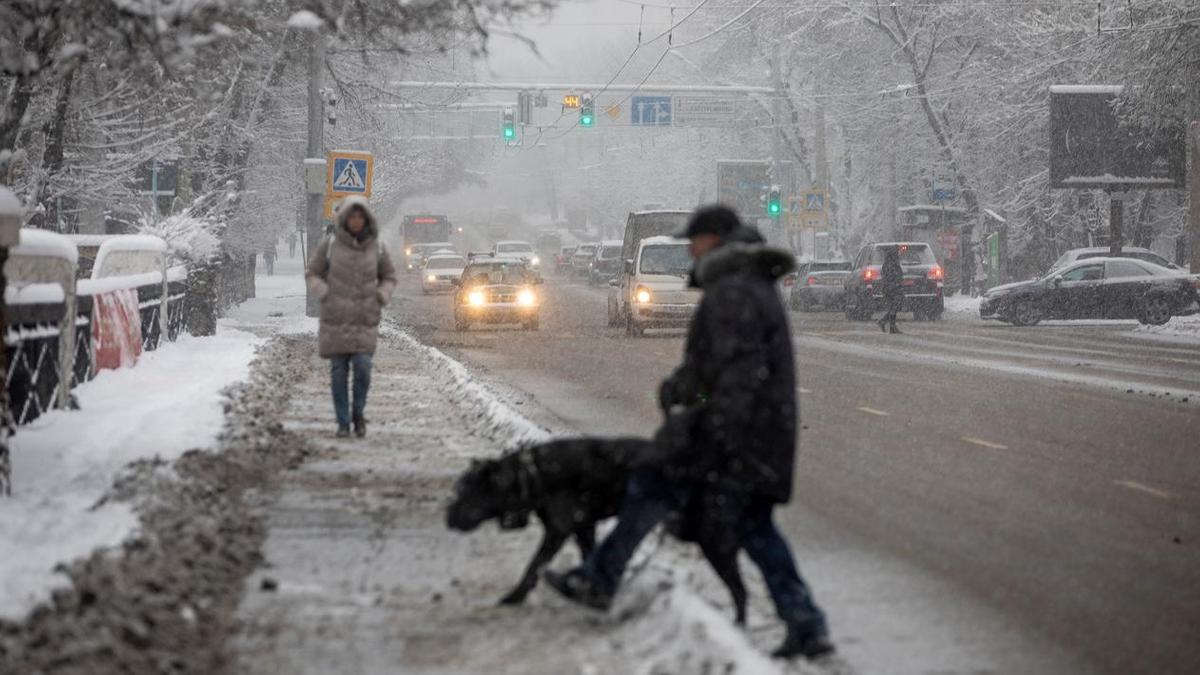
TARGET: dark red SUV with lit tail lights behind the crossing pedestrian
(923,280)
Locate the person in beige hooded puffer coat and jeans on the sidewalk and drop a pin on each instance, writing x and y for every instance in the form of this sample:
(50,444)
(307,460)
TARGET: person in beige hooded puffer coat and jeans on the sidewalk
(352,274)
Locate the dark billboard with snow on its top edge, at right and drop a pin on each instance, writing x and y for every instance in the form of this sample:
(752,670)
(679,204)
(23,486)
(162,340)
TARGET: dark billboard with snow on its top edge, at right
(1091,148)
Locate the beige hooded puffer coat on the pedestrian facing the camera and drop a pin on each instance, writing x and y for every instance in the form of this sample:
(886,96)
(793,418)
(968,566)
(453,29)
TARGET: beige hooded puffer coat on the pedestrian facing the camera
(355,279)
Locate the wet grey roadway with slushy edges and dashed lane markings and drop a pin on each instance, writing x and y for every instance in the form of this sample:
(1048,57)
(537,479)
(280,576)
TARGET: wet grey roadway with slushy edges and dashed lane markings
(970,498)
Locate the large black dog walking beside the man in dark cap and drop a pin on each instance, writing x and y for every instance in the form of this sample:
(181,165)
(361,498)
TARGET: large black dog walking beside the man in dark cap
(573,485)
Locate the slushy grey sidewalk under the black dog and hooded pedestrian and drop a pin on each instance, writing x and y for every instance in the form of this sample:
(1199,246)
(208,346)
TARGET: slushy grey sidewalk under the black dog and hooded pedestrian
(362,575)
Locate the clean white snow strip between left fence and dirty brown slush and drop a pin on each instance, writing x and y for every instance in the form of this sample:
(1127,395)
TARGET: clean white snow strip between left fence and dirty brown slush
(67,461)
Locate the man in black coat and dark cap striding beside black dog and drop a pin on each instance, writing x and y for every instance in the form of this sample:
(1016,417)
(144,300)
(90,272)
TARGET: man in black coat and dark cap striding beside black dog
(728,445)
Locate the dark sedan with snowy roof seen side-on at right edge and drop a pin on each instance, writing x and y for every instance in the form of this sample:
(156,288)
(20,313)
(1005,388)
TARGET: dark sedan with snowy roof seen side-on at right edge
(1096,289)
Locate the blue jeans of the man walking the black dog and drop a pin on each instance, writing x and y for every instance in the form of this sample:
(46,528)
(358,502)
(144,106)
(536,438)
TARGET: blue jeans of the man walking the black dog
(651,498)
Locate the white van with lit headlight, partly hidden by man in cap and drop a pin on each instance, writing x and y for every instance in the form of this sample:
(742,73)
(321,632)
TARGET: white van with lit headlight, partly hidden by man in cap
(655,292)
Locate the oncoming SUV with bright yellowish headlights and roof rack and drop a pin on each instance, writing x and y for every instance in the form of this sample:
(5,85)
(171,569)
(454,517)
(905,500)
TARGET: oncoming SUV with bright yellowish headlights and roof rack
(496,290)
